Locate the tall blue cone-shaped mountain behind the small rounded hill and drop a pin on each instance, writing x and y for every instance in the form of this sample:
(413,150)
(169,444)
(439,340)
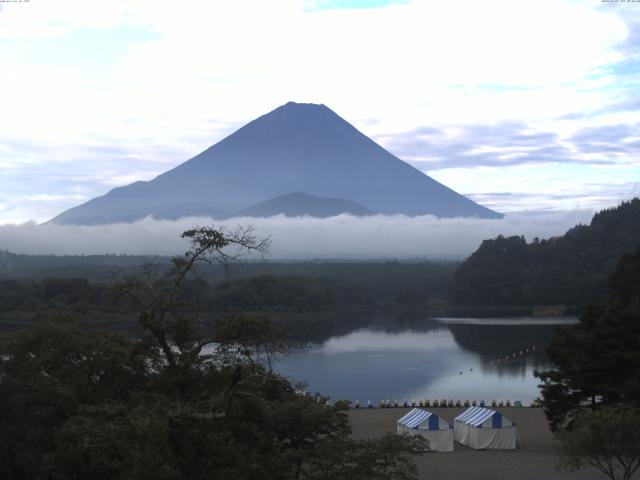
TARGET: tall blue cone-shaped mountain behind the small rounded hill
(296,148)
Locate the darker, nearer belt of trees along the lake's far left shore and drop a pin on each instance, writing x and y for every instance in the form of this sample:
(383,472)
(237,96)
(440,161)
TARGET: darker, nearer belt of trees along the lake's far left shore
(304,307)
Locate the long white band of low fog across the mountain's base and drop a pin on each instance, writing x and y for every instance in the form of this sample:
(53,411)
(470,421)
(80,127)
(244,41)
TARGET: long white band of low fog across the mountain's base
(340,237)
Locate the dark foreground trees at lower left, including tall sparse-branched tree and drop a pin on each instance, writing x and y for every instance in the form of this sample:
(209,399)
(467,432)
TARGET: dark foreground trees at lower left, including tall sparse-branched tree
(177,403)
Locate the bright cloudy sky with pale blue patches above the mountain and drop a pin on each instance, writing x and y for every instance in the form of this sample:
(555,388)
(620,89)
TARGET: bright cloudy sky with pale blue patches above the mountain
(524,106)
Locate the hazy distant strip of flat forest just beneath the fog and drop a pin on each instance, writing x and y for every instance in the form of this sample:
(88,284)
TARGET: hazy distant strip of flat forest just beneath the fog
(384,280)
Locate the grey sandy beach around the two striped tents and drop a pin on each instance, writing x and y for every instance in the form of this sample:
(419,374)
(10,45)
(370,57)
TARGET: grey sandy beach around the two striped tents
(536,460)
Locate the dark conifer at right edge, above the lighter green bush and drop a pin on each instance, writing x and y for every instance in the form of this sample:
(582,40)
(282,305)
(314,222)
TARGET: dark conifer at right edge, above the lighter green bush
(597,361)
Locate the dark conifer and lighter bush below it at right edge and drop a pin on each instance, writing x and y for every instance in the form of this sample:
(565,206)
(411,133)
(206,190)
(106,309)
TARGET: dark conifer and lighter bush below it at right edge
(592,398)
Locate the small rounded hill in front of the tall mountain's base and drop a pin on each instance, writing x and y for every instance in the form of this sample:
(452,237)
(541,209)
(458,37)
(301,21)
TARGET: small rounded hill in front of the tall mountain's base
(299,204)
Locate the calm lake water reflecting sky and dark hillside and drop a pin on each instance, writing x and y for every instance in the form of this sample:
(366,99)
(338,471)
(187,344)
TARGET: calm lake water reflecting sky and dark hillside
(451,358)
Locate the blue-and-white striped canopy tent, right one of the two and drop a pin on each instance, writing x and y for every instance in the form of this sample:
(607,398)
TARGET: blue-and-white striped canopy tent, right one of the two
(481,428)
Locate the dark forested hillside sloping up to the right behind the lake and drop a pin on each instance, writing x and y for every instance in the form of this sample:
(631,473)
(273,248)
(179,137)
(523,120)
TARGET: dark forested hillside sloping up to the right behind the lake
(571,270)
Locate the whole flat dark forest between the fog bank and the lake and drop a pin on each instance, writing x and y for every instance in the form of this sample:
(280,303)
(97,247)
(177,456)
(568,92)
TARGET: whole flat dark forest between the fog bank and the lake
(308,301)
